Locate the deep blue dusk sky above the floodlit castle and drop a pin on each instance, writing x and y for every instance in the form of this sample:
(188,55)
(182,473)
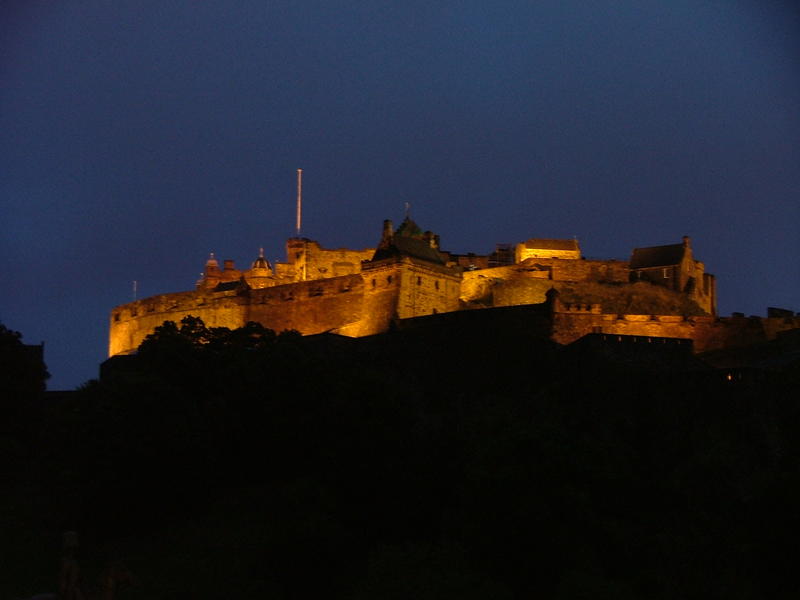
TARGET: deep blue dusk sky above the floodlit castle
(137,137)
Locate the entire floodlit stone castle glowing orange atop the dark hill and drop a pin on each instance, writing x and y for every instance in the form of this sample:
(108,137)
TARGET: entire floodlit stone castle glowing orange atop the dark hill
(662,291)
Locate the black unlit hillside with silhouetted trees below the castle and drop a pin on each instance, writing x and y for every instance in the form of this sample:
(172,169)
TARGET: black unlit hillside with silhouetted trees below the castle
(454,463)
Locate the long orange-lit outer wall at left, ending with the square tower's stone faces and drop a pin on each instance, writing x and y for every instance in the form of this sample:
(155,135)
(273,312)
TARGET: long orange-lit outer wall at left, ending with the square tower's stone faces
(353,305)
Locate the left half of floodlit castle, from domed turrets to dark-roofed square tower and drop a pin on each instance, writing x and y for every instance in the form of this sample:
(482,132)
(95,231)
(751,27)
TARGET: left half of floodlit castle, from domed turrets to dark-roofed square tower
(351,292)
